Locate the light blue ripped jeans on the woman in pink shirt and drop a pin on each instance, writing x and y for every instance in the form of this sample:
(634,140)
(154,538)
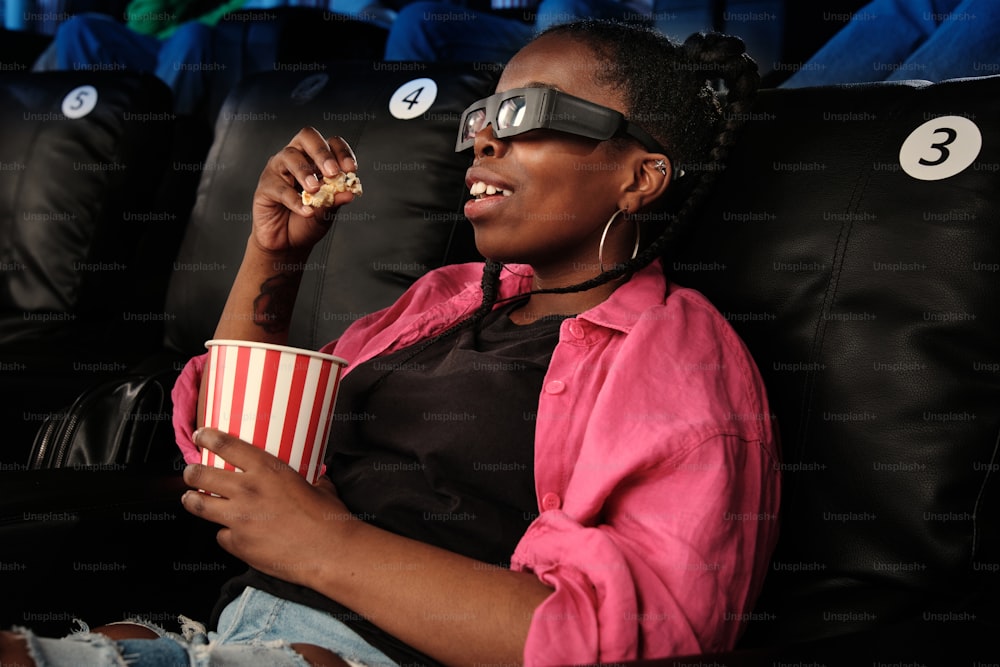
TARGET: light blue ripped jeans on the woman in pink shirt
(255,630)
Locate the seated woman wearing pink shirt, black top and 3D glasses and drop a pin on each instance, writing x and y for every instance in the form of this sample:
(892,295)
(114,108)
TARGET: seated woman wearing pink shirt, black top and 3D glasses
(612,494)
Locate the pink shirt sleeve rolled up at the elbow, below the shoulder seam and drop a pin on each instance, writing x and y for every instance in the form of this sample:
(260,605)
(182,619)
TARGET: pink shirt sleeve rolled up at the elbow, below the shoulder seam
(668,567)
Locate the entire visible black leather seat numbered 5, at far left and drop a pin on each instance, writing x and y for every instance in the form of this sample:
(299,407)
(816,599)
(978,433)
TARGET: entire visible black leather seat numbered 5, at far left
(82,155)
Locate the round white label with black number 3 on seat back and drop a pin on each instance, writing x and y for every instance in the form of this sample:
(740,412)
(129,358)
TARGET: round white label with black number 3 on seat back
(940,148)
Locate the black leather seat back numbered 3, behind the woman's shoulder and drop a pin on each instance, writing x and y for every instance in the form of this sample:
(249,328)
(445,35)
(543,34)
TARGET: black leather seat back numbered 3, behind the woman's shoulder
(853,244)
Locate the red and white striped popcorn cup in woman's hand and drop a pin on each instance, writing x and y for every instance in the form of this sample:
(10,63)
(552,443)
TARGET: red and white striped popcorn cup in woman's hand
(276,397)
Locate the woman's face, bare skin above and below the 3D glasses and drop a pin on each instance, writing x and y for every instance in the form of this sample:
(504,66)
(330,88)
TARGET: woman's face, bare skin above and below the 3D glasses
(563,188)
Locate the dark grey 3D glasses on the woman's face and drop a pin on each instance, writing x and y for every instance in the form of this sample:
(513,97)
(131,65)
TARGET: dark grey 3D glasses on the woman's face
(513,112)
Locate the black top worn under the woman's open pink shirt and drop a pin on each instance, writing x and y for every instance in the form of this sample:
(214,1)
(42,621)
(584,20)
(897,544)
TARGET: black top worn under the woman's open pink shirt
(436,442)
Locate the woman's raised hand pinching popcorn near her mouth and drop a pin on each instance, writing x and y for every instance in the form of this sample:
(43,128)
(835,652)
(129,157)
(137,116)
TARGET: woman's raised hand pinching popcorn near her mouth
(281,222)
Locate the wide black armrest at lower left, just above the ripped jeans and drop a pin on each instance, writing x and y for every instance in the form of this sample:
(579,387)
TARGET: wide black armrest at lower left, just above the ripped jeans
(103,545)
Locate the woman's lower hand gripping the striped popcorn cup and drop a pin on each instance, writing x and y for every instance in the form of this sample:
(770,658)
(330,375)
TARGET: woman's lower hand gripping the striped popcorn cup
(272,518)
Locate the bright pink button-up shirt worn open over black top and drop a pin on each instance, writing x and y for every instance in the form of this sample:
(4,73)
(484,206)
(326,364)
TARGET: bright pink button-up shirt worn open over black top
(656,466)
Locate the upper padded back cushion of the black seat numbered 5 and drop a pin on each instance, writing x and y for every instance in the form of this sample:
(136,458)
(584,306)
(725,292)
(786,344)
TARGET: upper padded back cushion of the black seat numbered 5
(82,153)
